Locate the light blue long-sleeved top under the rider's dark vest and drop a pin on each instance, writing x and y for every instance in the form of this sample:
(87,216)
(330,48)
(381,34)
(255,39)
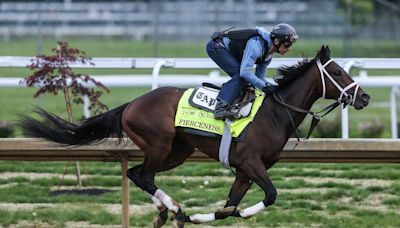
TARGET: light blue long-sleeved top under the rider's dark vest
(254,49)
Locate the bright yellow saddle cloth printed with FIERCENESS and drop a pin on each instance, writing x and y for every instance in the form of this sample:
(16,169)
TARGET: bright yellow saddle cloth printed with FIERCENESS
(191,117)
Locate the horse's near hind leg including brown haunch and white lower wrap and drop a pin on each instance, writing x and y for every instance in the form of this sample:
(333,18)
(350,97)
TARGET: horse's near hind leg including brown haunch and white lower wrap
(149,123)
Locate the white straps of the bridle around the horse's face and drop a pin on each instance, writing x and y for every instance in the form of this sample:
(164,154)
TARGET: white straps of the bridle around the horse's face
(344,96)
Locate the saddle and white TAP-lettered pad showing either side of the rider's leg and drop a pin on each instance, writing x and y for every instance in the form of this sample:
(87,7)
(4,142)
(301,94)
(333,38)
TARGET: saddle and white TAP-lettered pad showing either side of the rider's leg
(205,98)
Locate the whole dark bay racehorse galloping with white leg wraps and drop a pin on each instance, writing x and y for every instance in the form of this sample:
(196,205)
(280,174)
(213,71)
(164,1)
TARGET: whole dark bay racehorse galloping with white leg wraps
(149,122)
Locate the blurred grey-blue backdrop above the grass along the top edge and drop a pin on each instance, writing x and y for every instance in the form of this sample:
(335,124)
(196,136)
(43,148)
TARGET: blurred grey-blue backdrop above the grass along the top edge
(195,19)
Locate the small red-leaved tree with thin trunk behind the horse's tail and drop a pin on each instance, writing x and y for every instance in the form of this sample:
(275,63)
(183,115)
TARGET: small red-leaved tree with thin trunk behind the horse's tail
(52,74)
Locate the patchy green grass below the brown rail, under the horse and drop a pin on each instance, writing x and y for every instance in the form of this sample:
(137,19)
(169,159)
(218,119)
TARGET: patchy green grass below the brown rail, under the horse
(340,201)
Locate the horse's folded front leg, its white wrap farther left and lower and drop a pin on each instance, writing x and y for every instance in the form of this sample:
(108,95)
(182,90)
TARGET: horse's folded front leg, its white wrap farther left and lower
(238,190)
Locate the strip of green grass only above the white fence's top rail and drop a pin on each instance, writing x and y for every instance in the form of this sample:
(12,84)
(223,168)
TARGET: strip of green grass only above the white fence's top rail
(123,47)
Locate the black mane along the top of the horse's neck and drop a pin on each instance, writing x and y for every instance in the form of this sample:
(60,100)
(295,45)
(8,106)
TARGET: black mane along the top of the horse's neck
(288,74)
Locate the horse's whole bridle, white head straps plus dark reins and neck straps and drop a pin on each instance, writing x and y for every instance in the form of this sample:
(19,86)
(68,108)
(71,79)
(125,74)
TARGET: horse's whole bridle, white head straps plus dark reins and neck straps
(344,99)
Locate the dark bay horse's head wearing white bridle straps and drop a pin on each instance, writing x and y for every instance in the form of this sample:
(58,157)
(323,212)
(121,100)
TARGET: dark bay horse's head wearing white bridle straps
(337,84)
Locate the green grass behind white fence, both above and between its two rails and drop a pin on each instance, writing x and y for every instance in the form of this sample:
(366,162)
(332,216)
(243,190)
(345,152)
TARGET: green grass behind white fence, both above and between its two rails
(113,47)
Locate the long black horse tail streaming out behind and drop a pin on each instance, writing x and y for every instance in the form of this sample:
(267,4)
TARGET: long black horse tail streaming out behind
(56,129)
